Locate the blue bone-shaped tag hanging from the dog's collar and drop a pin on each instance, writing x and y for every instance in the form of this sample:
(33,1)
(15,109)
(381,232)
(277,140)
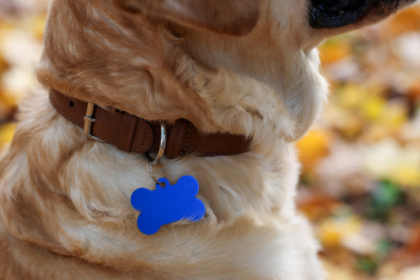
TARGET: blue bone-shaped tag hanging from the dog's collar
(168,205)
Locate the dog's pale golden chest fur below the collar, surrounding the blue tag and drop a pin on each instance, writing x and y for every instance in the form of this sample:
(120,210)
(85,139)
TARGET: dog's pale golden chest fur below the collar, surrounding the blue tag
(71,196)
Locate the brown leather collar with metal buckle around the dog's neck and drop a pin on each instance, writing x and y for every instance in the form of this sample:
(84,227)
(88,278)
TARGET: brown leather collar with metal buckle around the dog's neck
(133,134)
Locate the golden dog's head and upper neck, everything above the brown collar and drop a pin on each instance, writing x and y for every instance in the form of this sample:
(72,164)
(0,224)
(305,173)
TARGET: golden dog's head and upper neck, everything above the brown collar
(224,65)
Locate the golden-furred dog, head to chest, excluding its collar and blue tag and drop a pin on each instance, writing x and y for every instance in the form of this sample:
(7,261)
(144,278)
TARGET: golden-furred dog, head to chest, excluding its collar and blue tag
(242,67)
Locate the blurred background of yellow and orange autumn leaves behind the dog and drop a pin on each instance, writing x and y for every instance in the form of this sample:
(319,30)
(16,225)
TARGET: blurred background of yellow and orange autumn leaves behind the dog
(360,183)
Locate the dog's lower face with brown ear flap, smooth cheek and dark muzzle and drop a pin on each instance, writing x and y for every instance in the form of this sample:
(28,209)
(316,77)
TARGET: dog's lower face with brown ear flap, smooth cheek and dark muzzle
(268,40)
